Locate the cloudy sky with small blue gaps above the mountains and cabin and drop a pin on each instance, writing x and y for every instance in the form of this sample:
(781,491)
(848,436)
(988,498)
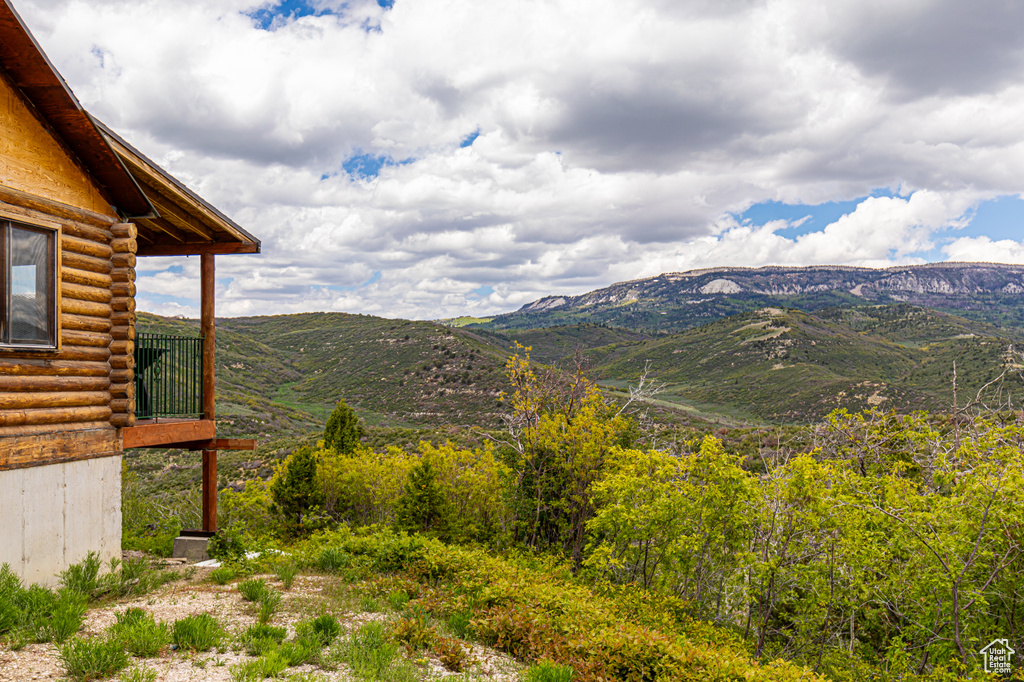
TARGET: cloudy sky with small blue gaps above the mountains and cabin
(428,159)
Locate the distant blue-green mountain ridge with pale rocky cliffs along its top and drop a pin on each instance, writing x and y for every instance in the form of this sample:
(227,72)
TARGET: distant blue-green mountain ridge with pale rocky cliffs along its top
(990,292)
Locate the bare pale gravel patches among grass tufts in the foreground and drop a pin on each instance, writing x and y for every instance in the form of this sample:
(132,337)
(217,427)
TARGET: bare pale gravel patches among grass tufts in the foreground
(198,595)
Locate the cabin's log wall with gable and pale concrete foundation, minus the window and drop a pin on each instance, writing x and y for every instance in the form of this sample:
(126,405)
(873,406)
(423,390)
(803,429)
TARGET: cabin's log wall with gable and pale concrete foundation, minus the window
(60,447)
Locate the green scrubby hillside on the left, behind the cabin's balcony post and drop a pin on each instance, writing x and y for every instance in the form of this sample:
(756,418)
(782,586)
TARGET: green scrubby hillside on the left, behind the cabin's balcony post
(289,371)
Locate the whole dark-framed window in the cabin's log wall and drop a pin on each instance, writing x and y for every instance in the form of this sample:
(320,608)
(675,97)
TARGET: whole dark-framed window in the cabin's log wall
(29,286)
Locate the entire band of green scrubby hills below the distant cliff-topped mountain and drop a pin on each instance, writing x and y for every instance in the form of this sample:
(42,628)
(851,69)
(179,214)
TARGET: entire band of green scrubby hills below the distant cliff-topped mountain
(282,375)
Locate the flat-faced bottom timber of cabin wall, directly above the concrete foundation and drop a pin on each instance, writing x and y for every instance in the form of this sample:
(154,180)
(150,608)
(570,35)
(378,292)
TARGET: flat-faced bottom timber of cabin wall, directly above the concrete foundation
(32,447)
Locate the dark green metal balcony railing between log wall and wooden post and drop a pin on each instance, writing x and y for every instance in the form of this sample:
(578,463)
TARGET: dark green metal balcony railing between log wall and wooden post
(168,376)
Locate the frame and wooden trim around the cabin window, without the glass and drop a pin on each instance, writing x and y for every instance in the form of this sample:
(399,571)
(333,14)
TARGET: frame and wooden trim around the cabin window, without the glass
(11,221)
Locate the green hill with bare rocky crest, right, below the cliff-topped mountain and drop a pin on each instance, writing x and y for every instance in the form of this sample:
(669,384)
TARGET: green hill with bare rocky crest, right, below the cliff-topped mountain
(790,366)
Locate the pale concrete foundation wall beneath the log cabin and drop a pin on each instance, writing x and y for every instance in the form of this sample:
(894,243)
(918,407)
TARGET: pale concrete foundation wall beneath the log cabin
(53,517)
